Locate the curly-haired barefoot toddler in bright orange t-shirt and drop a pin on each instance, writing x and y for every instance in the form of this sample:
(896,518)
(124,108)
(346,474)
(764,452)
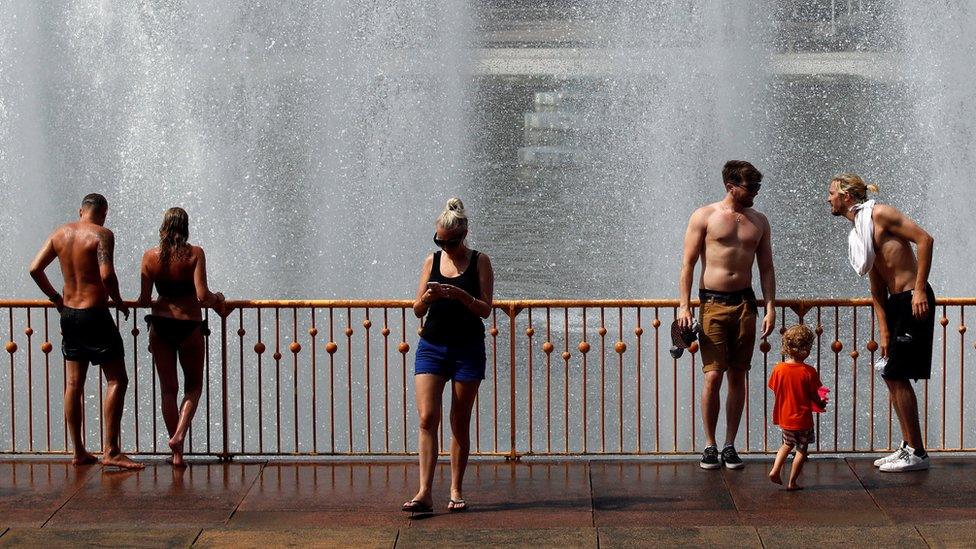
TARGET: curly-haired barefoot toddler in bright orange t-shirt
(797,389)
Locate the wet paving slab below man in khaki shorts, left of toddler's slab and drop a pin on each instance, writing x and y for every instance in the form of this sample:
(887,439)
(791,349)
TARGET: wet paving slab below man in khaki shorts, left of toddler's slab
(667,493)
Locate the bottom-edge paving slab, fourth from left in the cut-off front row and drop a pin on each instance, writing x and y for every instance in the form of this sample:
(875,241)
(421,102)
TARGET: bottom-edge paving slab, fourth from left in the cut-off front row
(689,536)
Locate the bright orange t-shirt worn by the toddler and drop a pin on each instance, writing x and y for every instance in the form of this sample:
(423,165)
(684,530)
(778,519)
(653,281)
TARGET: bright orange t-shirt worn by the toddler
(795,387)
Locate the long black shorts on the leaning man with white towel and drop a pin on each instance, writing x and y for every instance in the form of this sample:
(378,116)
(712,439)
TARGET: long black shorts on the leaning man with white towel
(909,339)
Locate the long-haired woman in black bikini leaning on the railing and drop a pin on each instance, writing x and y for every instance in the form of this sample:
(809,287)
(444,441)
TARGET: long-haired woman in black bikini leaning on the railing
(176,325)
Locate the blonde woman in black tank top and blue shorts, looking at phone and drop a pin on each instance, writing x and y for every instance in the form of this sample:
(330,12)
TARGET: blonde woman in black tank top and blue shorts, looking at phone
(455,294)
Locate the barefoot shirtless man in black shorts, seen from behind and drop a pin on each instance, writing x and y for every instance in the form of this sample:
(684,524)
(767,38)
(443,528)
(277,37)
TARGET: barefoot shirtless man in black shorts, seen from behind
(85,252)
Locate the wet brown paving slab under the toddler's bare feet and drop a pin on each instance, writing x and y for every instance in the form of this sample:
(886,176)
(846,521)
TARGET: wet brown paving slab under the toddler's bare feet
(831,495)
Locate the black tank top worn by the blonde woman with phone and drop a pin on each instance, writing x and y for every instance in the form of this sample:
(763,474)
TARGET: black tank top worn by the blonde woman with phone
(448,320)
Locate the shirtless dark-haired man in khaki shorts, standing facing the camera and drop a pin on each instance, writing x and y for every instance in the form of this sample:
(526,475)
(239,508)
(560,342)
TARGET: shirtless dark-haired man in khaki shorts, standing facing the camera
(729,236)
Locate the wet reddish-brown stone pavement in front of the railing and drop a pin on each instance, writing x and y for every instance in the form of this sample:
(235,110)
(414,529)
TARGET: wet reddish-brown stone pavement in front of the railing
(534,503)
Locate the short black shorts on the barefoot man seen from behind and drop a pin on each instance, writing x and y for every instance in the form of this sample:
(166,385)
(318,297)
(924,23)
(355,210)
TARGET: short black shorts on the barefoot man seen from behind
(90,335)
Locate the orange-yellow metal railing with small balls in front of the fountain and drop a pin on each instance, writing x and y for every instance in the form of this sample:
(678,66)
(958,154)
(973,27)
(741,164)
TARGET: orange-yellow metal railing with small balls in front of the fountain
(564,377)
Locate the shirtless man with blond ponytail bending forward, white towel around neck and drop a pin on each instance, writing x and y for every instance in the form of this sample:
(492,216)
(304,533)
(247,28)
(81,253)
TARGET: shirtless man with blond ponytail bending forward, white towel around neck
(904,303)
